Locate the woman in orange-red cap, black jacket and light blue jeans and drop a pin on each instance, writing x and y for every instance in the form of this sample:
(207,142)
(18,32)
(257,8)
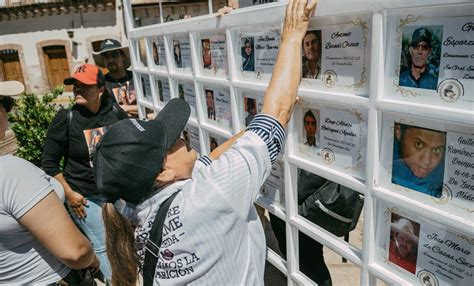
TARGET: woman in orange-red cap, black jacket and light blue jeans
(66,137)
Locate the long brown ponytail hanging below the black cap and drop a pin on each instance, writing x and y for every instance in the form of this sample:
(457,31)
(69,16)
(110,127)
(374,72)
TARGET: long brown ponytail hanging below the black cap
(120,247)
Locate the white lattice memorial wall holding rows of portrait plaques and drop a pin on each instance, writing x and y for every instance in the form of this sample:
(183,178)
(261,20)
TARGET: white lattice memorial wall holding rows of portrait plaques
(403,140)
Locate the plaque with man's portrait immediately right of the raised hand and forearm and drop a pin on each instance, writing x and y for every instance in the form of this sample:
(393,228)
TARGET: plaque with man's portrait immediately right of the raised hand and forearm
(336,54)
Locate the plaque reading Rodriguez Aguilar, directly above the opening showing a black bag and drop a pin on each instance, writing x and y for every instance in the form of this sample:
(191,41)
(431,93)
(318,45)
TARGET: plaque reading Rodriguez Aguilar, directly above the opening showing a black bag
(333,136)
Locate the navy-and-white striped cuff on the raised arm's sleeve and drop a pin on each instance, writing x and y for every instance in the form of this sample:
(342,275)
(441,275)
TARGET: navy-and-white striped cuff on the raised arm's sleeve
(271,132)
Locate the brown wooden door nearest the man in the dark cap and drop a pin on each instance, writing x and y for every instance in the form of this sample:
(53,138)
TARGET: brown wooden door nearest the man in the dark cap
(57,66)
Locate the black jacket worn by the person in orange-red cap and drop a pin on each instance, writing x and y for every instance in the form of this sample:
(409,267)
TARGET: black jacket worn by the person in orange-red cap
(69,140)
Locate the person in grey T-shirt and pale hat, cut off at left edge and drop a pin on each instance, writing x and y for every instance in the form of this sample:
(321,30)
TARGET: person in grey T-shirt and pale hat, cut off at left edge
(31,217)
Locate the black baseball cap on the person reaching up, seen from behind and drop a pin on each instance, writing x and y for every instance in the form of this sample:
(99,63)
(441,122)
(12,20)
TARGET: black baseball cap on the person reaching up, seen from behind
(130,155)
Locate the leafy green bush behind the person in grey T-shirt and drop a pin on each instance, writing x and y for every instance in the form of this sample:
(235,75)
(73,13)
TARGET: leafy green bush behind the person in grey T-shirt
(32,116)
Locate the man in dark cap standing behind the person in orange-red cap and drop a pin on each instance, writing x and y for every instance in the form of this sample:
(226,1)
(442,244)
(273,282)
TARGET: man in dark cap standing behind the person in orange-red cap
(119,80)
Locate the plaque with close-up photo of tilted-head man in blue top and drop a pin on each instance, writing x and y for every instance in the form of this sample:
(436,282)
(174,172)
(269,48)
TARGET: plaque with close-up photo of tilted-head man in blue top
(428,161)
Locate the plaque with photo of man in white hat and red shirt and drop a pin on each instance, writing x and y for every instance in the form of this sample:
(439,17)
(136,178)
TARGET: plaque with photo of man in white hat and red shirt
(421,250)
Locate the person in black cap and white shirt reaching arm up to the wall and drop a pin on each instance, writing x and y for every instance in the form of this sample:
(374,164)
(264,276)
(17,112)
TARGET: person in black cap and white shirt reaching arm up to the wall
(217,237)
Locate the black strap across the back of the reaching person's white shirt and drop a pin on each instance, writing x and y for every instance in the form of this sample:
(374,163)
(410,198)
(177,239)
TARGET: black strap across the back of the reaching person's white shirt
(152,247)
